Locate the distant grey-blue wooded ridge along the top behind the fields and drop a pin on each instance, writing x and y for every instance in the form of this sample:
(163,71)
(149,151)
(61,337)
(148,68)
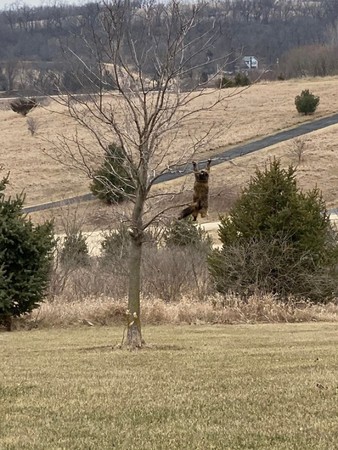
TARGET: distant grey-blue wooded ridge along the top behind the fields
(290,37)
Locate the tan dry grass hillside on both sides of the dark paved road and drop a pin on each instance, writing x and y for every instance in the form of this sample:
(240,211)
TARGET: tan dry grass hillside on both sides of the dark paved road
(258,111)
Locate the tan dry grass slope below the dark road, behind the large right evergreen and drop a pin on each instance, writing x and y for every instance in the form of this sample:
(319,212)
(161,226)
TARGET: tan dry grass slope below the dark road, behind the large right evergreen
(318,168)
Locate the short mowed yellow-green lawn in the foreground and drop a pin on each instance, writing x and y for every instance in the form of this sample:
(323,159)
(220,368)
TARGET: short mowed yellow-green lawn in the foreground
(197,387)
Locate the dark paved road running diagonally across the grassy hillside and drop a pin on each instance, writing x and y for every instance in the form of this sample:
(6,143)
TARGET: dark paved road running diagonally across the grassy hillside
(226,155)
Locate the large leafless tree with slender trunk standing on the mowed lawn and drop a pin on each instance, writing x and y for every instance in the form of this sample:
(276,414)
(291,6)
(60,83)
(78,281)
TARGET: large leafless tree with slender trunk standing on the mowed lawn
(151,54)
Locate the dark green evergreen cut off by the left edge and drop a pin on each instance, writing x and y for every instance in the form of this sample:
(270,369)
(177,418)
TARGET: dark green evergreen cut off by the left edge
(25,258)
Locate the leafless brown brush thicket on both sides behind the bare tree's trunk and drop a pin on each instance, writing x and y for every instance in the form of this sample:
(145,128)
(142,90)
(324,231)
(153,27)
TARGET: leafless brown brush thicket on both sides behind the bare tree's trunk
(168,274)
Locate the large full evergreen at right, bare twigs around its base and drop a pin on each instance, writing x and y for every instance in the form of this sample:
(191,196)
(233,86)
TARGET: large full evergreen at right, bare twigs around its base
(277,239)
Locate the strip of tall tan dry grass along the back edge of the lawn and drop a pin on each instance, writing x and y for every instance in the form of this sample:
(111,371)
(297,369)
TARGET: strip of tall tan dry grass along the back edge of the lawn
(105,310)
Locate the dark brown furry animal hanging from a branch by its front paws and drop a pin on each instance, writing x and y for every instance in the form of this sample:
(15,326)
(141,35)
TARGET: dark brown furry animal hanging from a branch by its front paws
(201,193)
